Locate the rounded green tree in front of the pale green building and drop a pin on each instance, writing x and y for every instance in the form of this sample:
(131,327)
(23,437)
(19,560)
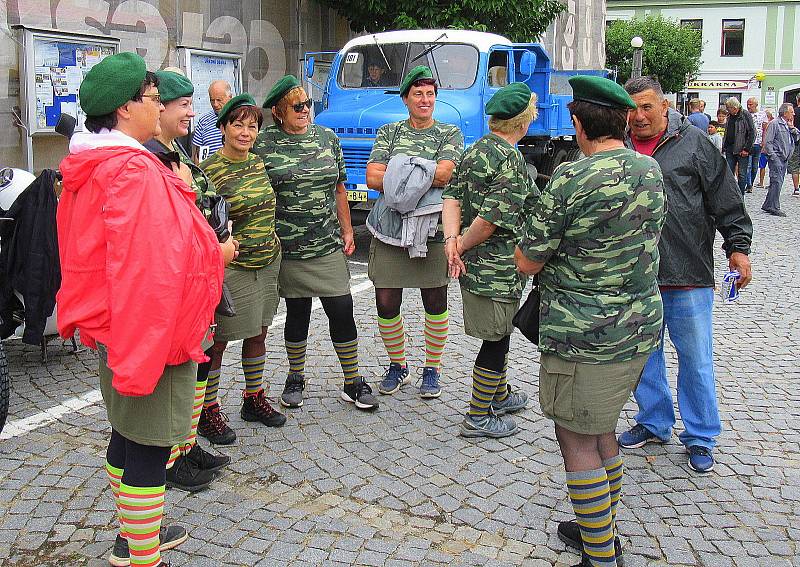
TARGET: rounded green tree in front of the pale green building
(671,51)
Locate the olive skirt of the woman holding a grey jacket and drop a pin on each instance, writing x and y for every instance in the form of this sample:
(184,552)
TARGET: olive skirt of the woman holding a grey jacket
(390,266)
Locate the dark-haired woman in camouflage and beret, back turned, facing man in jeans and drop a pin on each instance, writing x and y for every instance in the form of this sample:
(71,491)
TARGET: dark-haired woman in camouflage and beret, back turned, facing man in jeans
(600,312)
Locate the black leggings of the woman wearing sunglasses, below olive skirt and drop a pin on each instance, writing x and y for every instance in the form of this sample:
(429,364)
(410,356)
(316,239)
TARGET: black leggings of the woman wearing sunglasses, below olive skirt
(341,324)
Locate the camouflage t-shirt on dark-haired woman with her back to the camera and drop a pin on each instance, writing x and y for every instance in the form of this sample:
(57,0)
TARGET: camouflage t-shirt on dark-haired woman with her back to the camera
(596,227)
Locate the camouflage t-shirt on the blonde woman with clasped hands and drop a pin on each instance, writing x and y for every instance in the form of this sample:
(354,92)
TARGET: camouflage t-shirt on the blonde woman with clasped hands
(492,182)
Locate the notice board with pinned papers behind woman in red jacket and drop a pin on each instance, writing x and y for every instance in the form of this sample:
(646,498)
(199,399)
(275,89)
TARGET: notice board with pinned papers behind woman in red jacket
(54,66)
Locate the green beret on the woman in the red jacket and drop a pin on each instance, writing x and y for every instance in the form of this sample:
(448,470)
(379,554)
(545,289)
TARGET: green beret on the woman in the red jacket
(111,83)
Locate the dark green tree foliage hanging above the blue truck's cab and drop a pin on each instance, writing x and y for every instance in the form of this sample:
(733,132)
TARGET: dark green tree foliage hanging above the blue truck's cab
(521,20)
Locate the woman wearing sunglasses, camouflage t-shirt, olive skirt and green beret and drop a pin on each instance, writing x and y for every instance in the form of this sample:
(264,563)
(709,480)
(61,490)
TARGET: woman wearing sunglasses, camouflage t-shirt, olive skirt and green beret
(306,168)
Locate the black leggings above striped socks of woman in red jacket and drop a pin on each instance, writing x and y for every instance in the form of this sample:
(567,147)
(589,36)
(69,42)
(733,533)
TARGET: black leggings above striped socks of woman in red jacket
(143,465)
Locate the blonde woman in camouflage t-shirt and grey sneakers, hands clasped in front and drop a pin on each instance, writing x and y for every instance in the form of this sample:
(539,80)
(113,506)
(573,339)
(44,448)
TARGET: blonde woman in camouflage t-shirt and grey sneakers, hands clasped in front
(484,208)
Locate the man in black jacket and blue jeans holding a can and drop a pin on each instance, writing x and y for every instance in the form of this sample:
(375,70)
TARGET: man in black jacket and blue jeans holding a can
(702,198)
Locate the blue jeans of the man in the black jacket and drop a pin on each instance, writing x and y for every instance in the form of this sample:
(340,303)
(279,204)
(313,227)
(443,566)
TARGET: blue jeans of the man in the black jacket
(687,317)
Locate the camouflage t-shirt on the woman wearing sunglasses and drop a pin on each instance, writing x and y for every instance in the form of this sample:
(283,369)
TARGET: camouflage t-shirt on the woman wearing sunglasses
(304,170)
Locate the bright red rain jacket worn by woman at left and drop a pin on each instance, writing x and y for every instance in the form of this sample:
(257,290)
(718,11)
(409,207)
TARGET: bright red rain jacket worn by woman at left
(141,268)
